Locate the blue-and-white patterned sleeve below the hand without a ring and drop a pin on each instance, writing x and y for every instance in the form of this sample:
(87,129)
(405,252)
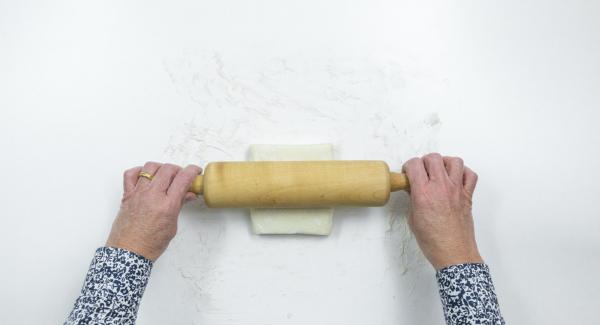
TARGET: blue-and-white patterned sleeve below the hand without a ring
(468,295)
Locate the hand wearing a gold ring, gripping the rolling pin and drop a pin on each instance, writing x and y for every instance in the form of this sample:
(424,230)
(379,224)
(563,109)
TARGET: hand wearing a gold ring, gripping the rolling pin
(147,220)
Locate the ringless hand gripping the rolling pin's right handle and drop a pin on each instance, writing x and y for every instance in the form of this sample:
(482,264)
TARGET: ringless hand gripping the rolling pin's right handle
(441,189)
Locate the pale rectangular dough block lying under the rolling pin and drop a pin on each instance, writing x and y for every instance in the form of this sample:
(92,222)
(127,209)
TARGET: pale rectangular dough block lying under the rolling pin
(291,221)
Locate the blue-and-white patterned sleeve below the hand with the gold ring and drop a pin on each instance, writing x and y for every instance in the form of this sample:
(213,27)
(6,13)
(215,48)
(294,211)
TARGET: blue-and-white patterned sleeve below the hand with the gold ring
(113,288)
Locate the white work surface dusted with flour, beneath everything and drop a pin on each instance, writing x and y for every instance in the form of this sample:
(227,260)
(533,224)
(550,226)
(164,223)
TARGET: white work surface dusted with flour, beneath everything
(88,89)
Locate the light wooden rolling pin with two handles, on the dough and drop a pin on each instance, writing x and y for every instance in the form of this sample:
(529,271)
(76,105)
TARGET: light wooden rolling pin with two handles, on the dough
(298,184)
